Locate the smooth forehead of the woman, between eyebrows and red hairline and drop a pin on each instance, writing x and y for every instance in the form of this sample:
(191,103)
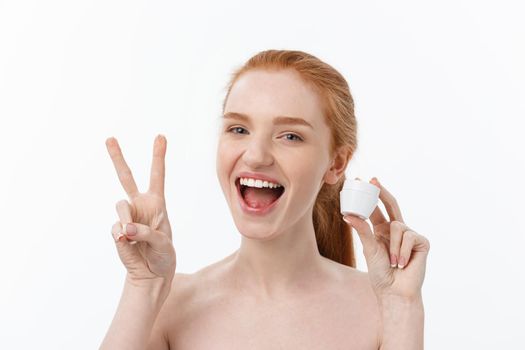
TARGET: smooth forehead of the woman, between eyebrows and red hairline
(264,93)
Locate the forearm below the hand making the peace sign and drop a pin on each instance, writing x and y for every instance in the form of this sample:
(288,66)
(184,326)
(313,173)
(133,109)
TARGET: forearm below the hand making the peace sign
(138,308)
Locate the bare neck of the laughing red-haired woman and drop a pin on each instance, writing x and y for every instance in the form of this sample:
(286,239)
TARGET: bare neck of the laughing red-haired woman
(282,264)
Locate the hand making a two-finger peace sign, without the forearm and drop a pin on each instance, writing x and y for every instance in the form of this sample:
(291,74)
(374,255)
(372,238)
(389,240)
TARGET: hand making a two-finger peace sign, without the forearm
(143,220)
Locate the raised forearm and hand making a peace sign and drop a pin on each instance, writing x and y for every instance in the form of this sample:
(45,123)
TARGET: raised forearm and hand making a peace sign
(143,240)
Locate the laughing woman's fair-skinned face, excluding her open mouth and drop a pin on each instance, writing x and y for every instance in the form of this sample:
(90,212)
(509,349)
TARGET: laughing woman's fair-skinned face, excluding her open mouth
(296,155)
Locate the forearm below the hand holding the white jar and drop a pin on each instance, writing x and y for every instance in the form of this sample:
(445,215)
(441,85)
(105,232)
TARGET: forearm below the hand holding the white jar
(402,323)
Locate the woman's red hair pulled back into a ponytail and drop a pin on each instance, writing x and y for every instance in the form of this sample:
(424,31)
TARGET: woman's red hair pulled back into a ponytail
(333,235)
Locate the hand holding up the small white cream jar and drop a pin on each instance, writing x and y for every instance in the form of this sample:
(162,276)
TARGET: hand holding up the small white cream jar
(395,254)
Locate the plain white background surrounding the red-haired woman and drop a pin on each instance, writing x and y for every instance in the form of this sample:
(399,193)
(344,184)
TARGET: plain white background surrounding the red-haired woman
(439,93)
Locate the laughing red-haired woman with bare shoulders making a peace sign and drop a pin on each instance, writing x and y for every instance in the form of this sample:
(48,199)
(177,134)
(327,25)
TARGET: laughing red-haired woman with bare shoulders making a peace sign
(288,132)
